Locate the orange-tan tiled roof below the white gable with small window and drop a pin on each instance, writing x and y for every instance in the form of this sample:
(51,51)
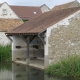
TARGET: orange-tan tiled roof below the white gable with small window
(7,24)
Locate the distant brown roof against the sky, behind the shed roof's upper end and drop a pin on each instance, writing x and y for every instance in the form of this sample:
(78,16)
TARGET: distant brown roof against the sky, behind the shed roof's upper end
(63,6)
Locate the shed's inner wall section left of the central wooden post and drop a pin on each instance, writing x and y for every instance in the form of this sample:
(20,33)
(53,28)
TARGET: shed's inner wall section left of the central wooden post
(18,53)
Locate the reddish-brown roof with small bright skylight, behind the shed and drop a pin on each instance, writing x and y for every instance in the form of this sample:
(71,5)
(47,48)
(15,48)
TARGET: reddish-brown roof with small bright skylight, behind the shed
(26,12)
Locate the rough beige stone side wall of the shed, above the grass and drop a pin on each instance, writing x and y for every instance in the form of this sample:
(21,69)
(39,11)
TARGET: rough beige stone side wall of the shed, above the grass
(64,40)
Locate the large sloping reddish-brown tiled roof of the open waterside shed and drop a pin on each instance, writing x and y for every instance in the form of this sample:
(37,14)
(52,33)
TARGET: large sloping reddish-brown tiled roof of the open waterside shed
(42,22)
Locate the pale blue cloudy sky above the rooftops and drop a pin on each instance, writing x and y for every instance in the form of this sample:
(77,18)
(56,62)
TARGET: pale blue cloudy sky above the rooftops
(49,3)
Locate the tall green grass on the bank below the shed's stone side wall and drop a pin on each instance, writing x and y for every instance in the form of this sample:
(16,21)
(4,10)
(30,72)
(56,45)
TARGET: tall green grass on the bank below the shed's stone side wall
(69,67)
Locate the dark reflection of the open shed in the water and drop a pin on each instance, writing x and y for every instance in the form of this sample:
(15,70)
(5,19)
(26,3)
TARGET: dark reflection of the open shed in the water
(26,73)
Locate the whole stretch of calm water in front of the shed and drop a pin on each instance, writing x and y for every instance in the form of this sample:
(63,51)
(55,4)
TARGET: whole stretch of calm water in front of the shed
(12,71)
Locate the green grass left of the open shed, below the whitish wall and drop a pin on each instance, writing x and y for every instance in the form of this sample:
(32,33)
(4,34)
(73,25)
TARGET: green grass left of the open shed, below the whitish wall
(5,53)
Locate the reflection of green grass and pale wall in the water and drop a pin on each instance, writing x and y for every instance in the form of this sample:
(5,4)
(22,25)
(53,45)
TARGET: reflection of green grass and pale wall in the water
(5,71)
